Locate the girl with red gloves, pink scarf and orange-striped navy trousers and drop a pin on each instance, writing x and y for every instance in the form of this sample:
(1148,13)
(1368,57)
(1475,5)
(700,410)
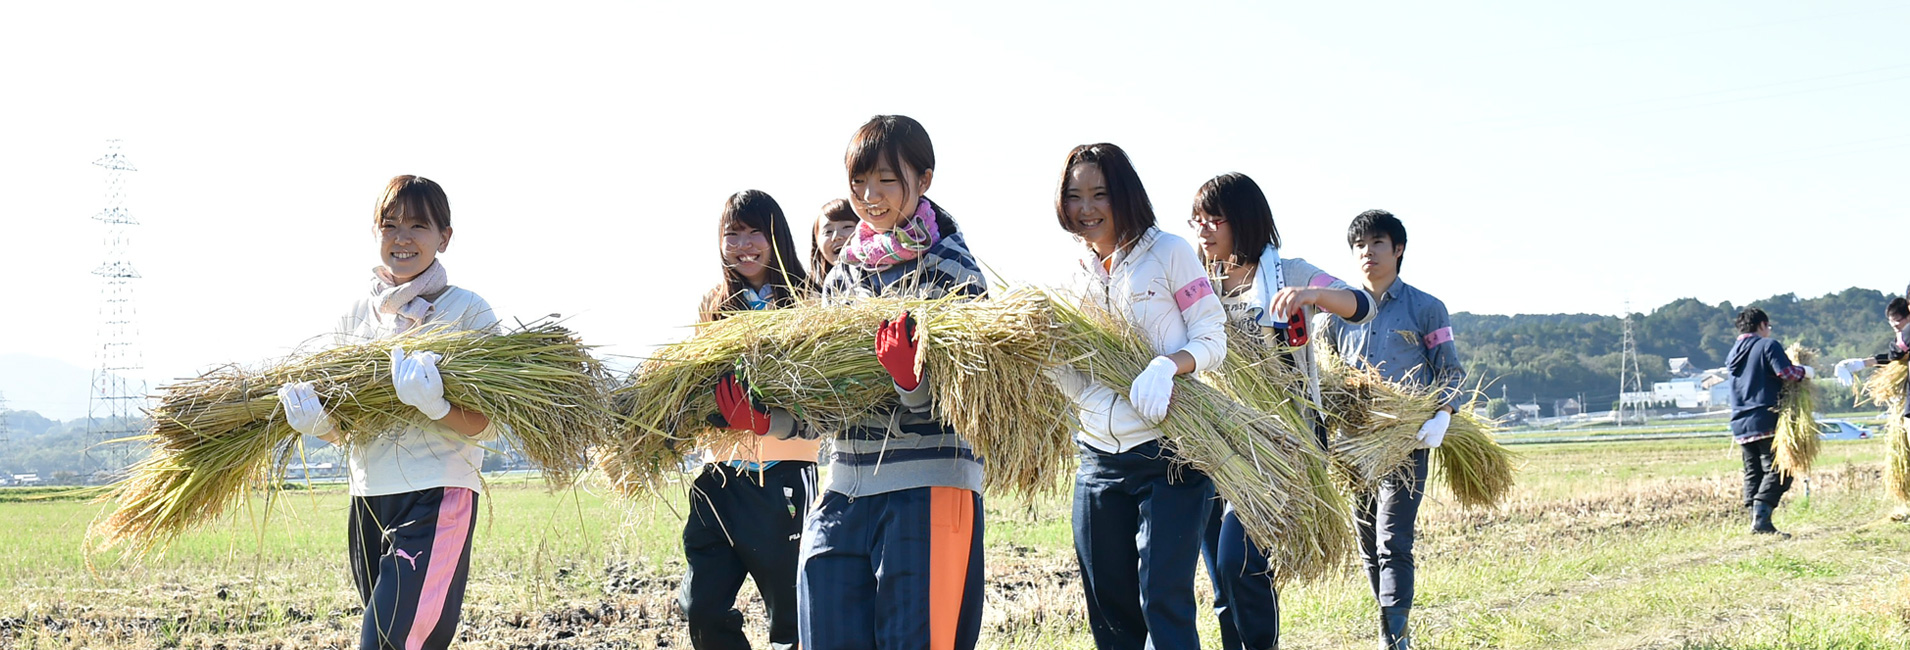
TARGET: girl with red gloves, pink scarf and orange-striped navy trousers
(893,552)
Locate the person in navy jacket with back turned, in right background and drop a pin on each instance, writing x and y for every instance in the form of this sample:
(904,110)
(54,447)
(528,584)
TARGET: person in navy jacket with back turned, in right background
(1758,374)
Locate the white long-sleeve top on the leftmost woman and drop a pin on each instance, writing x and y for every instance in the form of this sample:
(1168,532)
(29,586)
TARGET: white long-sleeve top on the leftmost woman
(425,454)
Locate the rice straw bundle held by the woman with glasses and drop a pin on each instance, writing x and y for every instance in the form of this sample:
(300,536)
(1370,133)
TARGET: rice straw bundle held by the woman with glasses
(1258,376)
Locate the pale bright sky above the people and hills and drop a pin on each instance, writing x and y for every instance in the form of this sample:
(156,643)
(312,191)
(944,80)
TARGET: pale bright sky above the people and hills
(1544,158)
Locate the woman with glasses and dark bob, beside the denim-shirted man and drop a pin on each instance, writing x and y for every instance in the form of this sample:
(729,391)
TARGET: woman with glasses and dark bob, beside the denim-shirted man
(1271,299)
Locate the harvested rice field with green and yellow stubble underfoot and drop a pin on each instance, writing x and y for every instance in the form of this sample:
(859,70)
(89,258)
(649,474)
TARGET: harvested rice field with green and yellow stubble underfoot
(1600,546)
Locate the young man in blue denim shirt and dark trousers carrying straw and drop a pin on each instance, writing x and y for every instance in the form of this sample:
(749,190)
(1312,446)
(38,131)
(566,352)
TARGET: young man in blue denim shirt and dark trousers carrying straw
(1411,343)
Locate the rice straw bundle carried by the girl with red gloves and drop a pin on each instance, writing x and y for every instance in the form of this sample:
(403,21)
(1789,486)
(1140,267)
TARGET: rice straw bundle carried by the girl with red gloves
(983,358)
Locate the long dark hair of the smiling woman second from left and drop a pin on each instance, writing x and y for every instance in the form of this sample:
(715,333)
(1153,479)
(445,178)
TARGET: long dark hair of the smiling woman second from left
(788,280)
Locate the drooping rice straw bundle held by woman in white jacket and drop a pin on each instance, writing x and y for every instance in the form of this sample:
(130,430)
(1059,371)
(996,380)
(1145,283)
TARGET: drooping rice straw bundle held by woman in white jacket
(1263,464)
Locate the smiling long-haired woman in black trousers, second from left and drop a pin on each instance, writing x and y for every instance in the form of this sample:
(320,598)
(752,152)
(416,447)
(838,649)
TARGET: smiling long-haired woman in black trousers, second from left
(752,496)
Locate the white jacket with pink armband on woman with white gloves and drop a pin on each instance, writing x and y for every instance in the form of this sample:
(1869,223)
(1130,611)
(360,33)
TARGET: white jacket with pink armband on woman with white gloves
(1160,288)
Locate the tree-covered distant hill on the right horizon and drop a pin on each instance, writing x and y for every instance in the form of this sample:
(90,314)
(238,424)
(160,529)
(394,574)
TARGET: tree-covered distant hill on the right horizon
(1554,357)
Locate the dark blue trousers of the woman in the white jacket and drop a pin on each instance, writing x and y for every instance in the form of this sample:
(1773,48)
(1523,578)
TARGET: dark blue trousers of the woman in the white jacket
(1139,525)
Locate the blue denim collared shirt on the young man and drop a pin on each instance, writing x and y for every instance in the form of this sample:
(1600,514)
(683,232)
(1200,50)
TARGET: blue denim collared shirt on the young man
(1409,341)
